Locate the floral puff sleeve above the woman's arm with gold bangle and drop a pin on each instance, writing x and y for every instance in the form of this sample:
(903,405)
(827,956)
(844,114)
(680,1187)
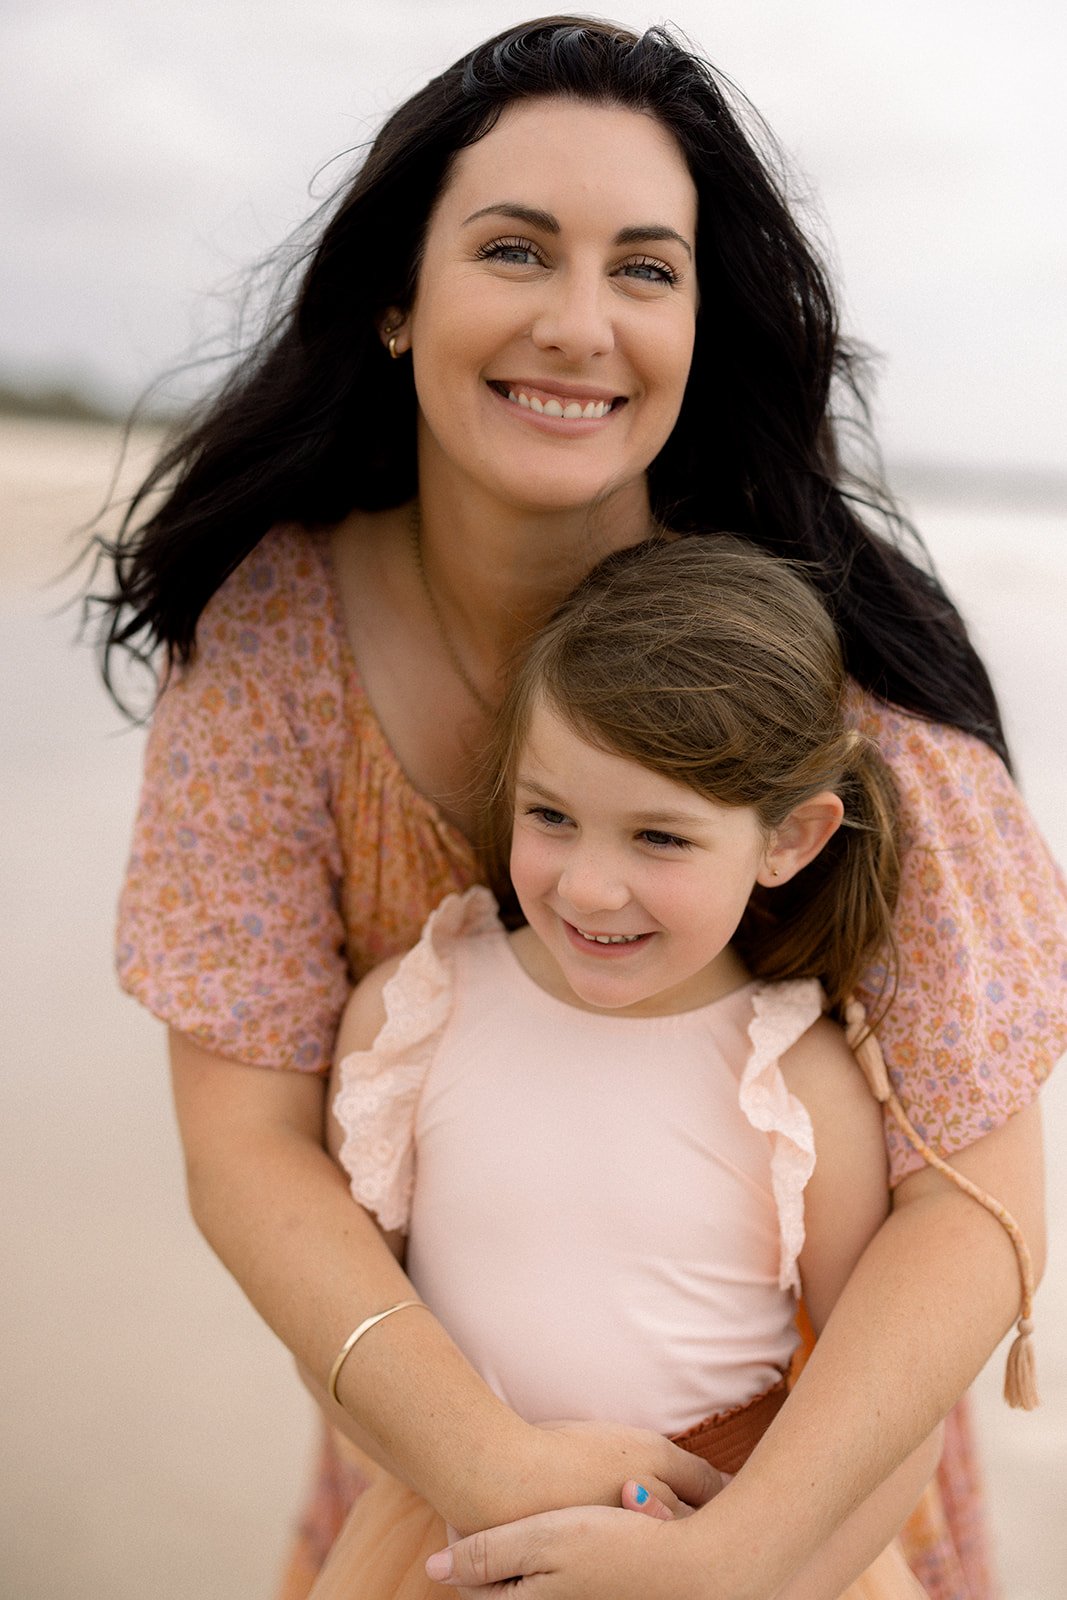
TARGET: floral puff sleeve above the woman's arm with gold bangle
(230,922)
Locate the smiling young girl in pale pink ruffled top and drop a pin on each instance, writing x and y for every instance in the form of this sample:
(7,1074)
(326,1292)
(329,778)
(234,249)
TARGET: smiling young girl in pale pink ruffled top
(621,1138)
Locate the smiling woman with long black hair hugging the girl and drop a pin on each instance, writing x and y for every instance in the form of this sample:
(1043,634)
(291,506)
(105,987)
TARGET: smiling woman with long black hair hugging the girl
(510,350)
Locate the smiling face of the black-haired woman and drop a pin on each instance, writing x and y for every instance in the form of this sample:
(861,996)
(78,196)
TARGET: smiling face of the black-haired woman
(556,306)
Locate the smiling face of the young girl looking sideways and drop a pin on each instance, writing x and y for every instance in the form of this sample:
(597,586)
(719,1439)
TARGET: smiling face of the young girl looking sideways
(633,882)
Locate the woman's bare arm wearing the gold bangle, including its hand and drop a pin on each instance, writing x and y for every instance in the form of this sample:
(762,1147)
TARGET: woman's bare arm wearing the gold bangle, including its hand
(278,1212)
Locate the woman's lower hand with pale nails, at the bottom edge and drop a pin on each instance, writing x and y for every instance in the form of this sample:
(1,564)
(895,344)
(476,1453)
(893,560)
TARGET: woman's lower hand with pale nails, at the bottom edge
(580,1554)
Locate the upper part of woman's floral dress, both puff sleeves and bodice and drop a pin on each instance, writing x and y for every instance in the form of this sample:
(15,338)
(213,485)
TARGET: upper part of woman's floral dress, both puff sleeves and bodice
(281,852)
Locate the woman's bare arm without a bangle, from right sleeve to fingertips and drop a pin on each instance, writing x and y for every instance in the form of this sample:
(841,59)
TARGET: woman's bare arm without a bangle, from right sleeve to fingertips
(927,1305)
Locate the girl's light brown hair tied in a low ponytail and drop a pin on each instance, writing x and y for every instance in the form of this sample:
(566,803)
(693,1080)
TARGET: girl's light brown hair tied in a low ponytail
(719,668)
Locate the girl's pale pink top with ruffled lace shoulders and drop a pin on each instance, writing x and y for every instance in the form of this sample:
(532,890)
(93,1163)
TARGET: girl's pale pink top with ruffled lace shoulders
(604,1212)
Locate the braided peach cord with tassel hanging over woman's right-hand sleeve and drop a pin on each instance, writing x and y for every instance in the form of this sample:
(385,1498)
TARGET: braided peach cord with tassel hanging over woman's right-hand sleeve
(1021,1375)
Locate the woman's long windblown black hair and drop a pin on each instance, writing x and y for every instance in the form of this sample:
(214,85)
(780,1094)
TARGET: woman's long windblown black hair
(316,420)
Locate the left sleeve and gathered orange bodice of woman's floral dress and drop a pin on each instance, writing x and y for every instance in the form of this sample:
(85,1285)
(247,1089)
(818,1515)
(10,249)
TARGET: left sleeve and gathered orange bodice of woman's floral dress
(279,850)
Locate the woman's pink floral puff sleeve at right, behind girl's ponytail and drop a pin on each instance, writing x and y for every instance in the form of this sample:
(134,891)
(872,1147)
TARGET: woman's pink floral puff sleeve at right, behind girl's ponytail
(981,1009)
